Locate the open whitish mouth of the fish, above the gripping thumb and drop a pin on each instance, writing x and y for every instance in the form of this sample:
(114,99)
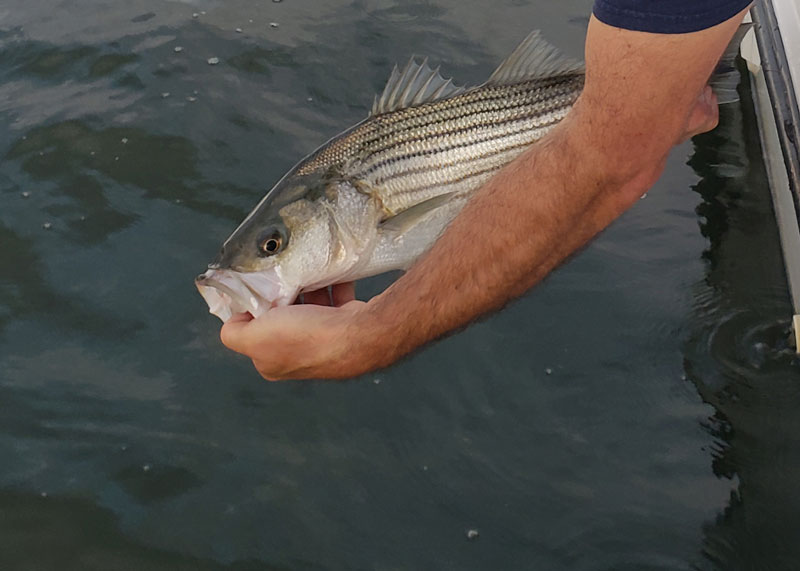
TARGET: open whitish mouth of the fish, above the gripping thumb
(228,292)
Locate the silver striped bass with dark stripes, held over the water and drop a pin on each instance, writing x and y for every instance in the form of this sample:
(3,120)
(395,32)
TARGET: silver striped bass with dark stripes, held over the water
(377,196)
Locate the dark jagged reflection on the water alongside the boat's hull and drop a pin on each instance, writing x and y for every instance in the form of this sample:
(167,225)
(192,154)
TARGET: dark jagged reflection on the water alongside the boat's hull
(739,355)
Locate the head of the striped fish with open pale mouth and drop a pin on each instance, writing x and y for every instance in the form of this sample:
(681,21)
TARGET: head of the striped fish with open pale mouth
(297,239)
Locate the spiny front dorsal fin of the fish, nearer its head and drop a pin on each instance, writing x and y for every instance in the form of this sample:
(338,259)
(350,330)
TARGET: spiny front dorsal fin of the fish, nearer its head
(415,85)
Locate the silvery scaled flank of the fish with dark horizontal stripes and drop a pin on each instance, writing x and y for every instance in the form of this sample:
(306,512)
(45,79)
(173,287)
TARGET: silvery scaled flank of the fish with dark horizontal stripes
(453,145)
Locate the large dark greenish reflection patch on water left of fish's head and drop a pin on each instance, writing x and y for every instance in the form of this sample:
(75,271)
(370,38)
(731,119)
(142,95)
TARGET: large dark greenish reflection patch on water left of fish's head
(81,162)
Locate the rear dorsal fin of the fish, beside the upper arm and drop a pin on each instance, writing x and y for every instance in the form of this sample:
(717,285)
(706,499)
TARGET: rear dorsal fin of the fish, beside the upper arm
(534,58)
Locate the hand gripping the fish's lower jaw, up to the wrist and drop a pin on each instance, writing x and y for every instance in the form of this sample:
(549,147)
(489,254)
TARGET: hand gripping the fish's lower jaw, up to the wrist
(310,340)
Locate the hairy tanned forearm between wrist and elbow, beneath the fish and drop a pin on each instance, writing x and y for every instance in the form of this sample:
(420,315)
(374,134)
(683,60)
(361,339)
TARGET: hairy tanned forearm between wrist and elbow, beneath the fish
(516,229)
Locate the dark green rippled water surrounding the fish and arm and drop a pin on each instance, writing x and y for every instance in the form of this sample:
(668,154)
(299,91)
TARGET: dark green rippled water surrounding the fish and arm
(636,411)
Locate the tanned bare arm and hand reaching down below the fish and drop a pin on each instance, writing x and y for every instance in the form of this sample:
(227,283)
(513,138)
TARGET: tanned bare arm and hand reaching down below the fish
(643,94)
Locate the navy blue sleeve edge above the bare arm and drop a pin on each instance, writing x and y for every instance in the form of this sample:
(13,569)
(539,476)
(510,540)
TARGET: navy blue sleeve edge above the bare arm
(667,16)
